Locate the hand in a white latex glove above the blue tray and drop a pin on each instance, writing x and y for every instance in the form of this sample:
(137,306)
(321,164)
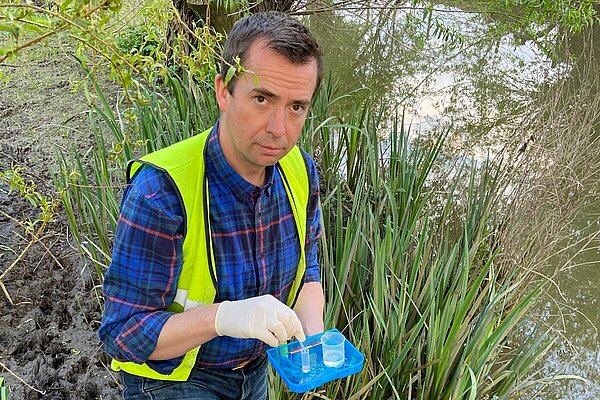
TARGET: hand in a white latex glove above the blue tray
(264,318)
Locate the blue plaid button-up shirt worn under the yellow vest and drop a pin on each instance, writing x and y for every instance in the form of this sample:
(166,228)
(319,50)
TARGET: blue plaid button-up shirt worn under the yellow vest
(256,253)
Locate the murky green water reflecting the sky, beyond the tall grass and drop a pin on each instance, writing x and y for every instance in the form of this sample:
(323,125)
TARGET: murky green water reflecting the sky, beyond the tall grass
(485,87)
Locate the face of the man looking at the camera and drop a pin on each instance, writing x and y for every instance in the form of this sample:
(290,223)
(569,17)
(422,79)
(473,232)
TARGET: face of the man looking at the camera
(262,120)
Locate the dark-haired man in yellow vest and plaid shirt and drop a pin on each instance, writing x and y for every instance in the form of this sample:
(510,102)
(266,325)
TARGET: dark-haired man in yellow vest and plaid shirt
(215,253)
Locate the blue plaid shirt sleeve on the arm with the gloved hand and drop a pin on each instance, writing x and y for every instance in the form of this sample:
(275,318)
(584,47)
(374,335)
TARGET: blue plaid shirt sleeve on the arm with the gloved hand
(141,280)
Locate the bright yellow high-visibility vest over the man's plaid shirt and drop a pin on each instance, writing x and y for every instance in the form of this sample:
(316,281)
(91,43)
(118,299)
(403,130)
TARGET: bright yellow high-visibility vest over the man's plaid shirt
(184,164)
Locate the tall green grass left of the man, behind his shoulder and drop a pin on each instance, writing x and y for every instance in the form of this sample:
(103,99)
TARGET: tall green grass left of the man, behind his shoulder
(162,115)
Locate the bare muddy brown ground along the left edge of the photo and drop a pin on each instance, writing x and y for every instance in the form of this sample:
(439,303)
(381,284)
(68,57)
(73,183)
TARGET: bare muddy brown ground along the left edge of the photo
(49,348)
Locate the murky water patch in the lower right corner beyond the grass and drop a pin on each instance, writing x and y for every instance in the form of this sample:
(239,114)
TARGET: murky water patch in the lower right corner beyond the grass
(574,313)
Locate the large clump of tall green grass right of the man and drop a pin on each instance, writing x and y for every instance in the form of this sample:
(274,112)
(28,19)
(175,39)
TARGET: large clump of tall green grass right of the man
(412,269)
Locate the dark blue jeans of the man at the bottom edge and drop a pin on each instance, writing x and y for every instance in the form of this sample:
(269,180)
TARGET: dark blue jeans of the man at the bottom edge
(247,383)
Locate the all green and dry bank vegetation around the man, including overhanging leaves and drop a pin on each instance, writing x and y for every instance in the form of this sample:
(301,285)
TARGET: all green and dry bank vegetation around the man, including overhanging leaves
(430,259)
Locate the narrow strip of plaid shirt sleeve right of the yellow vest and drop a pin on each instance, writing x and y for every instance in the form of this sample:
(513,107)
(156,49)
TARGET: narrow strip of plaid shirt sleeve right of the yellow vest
(313,223)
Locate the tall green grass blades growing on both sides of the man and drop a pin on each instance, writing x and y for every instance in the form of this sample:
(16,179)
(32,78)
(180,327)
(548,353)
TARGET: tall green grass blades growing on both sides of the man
(411,260)
